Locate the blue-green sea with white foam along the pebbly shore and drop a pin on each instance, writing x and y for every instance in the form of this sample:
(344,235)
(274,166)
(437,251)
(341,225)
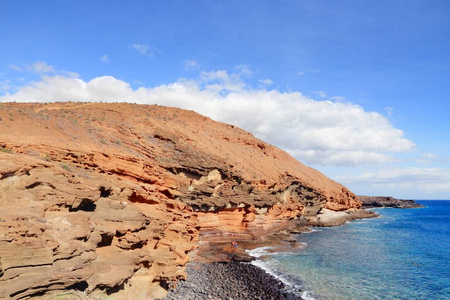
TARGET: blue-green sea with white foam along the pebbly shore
(403,254)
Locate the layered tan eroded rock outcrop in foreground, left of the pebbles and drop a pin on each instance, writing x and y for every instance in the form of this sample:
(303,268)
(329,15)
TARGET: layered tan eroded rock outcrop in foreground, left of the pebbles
(84,230)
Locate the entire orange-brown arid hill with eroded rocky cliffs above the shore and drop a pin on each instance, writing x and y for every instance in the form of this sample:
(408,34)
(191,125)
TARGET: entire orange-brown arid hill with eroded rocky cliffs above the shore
(114,198)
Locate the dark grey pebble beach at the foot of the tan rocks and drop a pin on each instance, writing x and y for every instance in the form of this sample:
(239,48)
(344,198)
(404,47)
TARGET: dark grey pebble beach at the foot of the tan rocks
(232,280)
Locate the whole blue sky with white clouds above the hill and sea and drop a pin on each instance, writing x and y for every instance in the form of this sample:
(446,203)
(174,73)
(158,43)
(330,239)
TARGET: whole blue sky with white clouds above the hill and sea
(357,89)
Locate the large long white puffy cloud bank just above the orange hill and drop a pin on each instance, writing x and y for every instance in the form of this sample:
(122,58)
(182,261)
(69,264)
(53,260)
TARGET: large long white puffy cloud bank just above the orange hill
(315,132)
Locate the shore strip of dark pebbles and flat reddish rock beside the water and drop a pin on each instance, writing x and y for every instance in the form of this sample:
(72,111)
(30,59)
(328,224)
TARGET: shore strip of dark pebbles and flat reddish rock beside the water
(216,272)
